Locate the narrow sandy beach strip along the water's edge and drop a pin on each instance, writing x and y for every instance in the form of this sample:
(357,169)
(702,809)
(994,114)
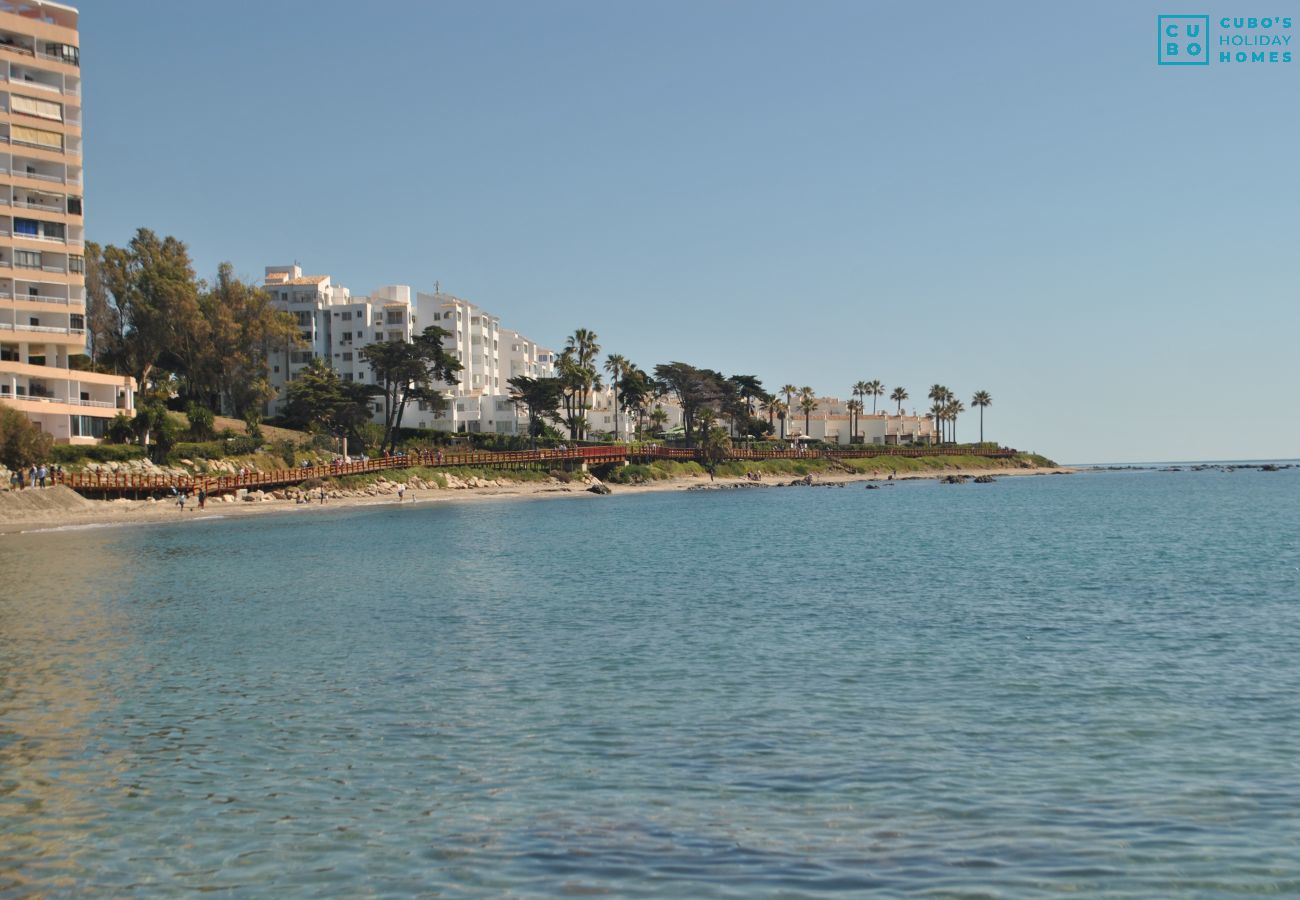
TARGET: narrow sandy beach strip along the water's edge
(103,514)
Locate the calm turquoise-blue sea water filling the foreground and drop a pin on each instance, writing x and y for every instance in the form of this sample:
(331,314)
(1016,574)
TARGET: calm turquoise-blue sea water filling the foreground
(1063,685)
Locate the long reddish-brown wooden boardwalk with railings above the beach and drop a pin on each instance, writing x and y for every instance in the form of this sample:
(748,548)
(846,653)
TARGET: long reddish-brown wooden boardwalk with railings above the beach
(123,483)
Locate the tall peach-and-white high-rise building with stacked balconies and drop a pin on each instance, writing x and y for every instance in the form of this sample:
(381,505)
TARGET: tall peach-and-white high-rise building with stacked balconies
(42,232)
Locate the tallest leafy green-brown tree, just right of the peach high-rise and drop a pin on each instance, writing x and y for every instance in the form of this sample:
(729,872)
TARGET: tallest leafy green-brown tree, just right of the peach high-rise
(155,296)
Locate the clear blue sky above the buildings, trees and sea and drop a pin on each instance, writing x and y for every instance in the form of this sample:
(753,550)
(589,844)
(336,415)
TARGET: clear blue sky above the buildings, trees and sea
(1009,197)
